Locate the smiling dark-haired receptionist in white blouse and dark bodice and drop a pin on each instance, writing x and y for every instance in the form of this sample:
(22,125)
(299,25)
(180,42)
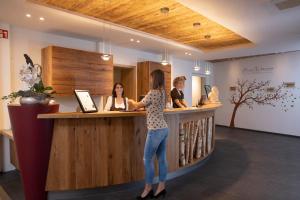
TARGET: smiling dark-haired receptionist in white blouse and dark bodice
(118,101)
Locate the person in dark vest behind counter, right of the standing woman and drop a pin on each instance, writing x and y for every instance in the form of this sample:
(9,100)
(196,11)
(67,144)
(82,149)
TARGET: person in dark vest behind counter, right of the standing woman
(177,94)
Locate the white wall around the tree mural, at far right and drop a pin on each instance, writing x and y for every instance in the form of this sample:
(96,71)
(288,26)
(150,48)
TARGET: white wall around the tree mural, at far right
(265,118)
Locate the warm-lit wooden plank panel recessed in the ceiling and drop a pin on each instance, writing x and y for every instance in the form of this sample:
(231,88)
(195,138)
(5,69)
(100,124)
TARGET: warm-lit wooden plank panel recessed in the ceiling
(145,15)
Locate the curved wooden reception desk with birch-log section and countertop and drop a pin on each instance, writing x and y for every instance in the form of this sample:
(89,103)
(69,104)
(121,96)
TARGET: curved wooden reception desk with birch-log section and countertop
(106,148)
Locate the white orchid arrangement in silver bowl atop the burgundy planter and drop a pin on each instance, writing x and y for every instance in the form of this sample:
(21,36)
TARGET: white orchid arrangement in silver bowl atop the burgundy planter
(37,92)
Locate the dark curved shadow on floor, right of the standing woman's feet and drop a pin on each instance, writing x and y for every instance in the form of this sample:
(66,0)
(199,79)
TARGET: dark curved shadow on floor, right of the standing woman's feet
(225,167)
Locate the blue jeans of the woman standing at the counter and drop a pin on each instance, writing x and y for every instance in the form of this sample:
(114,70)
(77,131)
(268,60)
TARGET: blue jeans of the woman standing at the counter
(156,144)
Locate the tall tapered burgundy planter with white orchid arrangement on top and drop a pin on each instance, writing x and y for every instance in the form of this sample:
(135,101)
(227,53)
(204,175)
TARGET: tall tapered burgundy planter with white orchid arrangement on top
(32,136)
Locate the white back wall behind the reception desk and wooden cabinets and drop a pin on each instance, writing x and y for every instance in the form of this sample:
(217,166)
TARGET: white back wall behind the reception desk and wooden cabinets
(31,42)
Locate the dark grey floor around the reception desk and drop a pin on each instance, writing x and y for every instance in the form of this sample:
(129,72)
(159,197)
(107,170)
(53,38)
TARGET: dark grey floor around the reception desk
(246,165)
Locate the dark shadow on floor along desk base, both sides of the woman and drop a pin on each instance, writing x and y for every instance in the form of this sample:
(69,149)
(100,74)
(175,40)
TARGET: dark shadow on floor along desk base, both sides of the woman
(223,169)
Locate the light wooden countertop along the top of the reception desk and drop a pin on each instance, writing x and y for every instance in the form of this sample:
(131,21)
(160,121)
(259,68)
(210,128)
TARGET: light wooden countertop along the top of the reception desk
(61,115)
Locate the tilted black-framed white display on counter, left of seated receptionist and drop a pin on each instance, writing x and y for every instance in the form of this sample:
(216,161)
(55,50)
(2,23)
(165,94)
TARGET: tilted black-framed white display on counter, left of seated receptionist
(85,101)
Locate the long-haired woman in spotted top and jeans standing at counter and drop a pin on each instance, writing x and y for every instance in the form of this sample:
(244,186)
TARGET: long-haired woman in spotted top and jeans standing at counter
(158,131)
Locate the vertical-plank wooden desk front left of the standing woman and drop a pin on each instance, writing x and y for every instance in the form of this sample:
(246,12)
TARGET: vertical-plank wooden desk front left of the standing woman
(90,153)
